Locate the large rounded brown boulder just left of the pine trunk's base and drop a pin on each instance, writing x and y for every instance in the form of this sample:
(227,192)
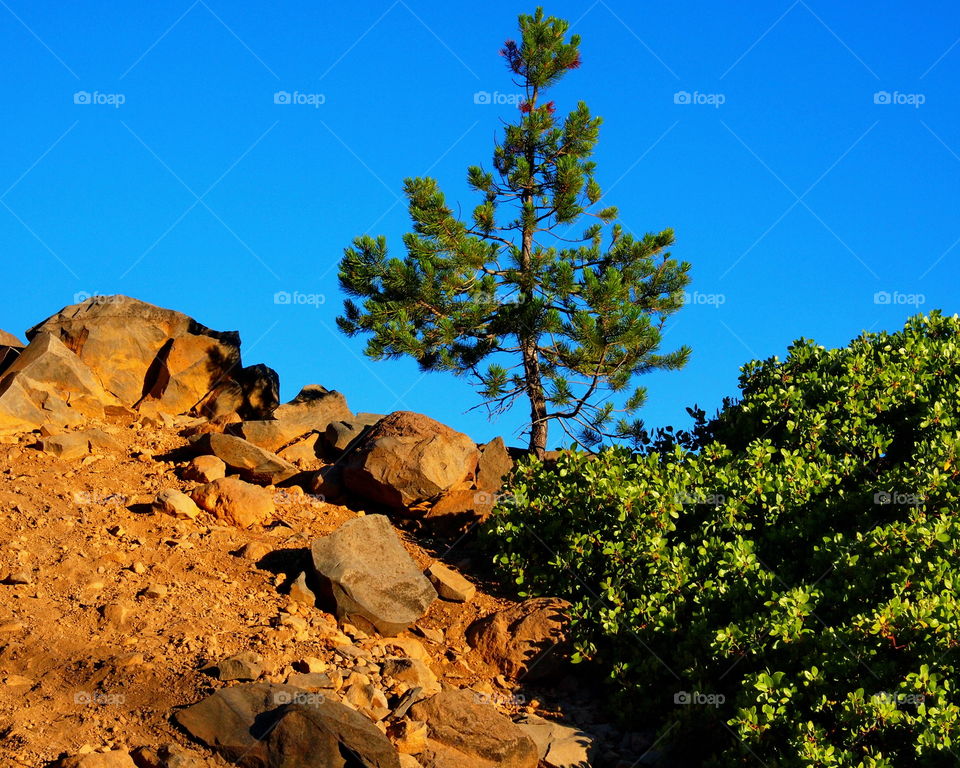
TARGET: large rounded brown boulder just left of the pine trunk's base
(408,459)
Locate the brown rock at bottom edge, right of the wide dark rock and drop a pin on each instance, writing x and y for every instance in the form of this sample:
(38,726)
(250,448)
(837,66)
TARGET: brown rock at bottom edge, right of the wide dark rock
(463,731)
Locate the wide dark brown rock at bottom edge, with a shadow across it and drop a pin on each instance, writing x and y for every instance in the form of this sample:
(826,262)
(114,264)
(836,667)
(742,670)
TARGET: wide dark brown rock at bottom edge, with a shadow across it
(260,725)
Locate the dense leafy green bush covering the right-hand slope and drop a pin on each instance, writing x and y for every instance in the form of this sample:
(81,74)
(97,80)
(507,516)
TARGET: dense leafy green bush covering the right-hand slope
(783,584)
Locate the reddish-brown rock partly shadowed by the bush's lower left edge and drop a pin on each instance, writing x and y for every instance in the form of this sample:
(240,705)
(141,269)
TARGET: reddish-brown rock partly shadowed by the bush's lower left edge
(521,640)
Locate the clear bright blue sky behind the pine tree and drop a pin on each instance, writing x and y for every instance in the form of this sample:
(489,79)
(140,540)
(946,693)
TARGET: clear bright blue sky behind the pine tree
(796,199)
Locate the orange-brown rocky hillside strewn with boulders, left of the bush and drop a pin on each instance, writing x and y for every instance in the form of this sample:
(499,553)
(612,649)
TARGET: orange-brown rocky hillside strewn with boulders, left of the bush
(194,574)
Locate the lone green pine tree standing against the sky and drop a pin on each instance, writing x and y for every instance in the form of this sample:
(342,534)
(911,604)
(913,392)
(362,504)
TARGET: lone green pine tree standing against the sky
(511,298)
